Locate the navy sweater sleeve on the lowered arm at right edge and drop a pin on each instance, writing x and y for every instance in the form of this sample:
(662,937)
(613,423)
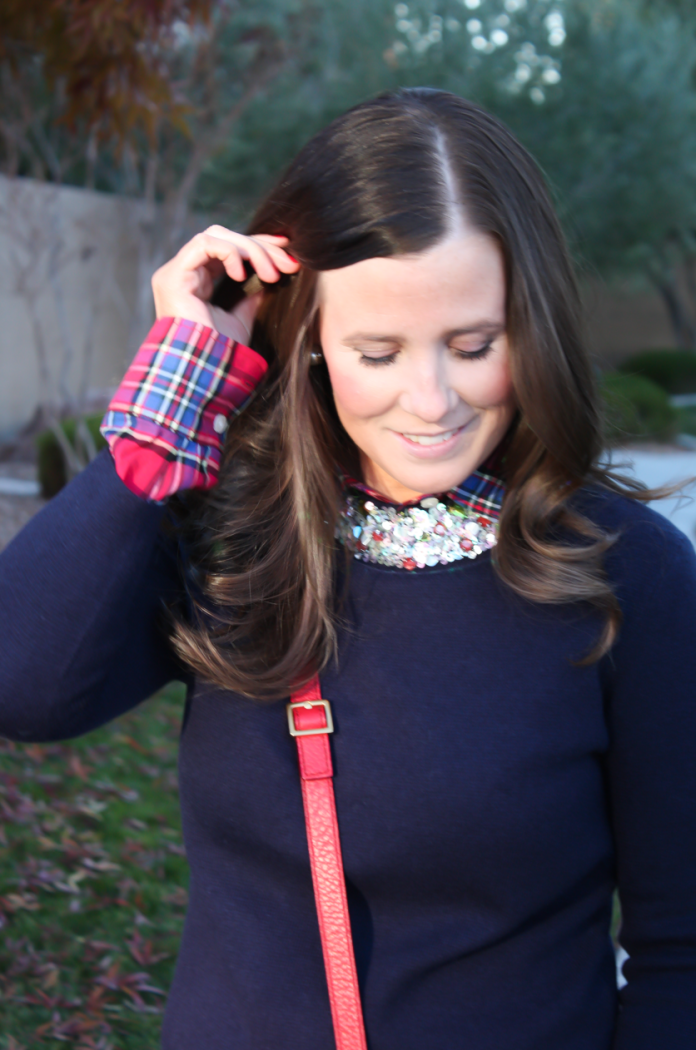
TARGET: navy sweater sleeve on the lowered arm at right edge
(652,791)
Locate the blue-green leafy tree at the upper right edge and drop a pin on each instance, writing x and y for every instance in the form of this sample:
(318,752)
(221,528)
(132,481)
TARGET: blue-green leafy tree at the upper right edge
(620,145)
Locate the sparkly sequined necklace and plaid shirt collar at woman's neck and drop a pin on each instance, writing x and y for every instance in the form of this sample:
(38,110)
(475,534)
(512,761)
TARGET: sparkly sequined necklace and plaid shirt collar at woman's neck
(435,531)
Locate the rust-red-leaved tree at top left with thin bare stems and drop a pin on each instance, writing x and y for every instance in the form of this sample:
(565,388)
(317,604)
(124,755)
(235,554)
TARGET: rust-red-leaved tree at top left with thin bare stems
(76,75)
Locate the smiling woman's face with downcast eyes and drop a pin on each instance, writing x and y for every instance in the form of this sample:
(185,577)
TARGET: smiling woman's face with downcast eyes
(418,360)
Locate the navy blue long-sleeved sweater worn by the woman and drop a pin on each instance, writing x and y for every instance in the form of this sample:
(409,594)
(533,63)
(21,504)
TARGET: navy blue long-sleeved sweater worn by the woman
(491,792)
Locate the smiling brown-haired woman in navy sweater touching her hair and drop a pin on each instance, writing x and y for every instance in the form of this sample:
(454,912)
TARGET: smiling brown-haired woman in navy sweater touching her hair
(507,636)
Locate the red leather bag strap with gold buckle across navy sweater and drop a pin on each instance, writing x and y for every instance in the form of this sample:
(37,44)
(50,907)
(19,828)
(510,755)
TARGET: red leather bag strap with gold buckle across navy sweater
(310,722)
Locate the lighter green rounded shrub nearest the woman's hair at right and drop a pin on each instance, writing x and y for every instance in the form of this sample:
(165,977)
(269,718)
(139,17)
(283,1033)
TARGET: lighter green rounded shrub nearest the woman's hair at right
(637,408)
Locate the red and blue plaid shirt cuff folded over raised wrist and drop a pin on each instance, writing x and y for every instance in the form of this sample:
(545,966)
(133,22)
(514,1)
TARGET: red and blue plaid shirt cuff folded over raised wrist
(166,424)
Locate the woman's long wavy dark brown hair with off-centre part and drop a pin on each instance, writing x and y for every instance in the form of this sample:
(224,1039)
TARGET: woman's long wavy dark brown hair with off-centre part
(263,565)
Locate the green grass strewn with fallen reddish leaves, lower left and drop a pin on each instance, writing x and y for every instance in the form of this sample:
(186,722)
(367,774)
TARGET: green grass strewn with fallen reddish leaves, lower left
(93,884)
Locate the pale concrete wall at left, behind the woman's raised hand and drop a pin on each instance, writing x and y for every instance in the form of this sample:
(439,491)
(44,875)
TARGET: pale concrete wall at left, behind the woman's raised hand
(68,262)
